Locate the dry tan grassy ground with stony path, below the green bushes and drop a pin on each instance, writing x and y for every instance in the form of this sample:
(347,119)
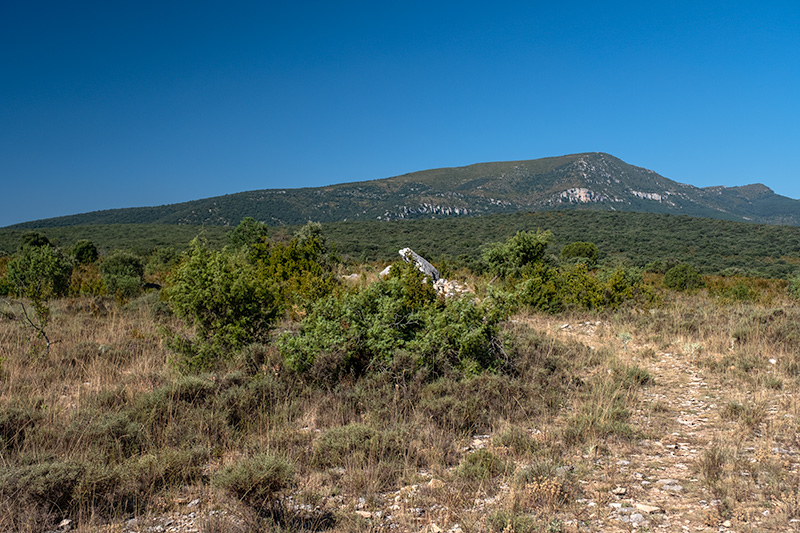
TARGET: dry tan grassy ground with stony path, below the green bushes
(106,428)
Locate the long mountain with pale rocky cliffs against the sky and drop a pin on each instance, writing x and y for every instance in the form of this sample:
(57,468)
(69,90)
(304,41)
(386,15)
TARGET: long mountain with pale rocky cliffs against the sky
(596,181)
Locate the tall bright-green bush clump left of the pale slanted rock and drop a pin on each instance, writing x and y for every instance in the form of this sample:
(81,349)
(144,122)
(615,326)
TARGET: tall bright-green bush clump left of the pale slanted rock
(233,296)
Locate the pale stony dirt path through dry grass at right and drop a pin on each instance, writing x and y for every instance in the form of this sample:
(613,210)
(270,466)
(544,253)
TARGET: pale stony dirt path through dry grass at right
(658,484)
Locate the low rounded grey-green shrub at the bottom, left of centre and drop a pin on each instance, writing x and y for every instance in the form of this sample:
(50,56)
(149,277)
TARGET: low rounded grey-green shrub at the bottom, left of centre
(256,480)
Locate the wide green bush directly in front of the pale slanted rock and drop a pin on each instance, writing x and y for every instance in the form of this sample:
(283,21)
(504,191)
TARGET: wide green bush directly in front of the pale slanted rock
(364,328)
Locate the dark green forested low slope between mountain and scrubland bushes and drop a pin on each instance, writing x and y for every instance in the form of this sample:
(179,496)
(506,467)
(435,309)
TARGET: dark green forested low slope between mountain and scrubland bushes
(639,239)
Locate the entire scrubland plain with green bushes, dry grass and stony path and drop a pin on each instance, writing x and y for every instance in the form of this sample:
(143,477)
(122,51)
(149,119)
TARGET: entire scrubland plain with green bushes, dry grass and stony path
(259,381)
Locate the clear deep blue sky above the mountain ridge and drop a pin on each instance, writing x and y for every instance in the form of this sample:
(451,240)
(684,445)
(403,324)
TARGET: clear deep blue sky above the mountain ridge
(123,104)
